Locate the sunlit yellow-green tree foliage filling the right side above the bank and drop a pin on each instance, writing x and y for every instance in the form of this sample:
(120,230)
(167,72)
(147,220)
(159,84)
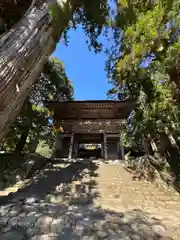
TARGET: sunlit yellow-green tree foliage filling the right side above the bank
(145,59)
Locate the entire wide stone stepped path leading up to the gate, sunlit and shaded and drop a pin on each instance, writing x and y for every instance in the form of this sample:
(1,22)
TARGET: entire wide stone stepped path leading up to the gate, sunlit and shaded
(90,201)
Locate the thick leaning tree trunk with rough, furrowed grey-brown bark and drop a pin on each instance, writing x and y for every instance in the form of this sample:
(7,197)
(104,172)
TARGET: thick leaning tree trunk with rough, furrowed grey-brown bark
(23,52)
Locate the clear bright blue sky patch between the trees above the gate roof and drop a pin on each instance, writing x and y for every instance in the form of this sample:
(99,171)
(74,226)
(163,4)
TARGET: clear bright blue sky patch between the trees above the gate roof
(84,68)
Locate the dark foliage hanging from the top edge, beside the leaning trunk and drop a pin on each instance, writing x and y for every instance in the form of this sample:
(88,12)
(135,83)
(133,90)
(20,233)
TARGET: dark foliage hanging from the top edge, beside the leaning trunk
(92,15)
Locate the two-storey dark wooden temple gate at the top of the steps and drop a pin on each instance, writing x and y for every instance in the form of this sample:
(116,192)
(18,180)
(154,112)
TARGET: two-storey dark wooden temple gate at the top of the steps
(99,122)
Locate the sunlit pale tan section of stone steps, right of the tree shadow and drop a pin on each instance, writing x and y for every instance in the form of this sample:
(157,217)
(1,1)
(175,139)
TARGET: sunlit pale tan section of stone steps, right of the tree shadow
(119,192)
